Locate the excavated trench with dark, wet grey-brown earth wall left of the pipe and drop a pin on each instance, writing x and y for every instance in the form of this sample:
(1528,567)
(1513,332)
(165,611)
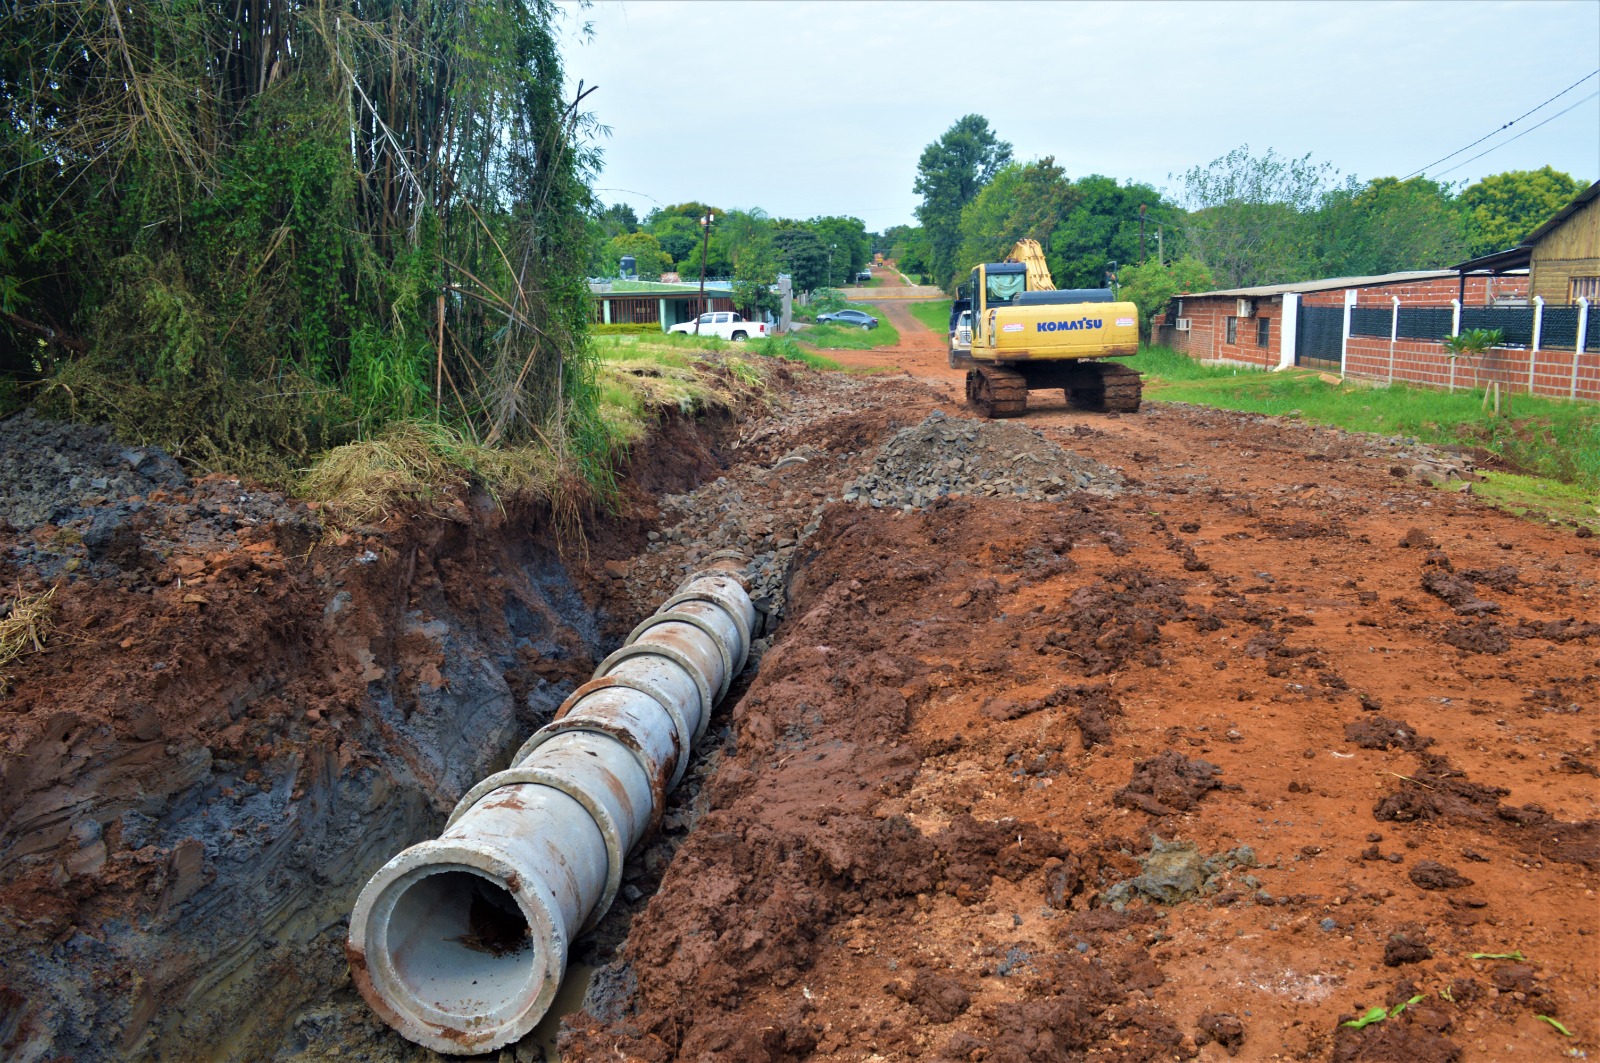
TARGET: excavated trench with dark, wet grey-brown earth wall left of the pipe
(239,721)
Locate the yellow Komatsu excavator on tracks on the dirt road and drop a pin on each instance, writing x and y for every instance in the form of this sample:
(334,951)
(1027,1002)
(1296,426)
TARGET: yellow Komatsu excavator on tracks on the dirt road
(1028,335)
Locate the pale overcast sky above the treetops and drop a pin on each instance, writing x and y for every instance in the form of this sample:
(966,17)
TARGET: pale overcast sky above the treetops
(810,110)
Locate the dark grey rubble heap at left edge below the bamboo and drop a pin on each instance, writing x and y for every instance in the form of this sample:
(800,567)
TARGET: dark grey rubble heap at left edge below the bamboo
(52,471)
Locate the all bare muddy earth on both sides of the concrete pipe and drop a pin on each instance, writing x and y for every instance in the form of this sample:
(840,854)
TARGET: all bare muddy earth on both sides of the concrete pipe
(1231,742)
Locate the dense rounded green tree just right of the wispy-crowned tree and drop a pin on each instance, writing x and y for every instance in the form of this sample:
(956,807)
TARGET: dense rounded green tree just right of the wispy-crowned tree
(1386,227)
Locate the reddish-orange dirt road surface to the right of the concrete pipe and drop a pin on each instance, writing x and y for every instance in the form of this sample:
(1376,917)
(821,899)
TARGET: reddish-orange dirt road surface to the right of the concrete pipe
(1209,764)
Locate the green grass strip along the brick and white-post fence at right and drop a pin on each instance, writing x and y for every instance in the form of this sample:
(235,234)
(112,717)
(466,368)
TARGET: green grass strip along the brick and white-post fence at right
(1542,438)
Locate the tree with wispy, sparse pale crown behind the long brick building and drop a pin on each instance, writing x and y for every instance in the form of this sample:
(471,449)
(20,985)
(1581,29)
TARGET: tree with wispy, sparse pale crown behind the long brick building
(1252,217)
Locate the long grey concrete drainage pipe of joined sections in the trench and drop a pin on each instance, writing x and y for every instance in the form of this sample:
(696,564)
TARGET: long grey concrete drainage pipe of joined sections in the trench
(462,942)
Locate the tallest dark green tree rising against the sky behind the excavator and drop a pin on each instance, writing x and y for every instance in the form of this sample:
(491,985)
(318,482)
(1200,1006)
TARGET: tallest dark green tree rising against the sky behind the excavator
(950,175)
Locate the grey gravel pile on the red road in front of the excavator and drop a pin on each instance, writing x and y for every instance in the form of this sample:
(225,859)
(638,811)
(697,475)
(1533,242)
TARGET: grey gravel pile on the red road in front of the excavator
(986,459)
